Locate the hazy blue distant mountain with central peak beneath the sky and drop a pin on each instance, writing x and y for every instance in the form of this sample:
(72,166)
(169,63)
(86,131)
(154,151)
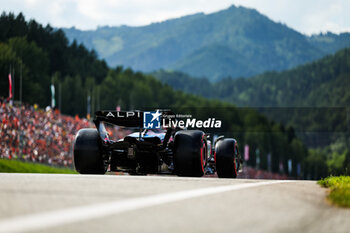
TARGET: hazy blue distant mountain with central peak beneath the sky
(258,44)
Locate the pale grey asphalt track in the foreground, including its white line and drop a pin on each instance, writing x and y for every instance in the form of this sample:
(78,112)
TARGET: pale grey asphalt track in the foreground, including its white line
(82,203)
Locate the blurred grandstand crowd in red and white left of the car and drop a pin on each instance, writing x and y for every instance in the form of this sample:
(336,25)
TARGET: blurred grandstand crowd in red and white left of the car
(32,134)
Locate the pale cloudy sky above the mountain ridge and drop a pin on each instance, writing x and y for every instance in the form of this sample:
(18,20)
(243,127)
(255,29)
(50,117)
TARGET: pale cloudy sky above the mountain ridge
(307,16)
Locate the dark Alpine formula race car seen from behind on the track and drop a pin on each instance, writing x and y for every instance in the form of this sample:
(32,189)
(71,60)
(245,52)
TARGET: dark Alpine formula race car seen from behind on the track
(152,149)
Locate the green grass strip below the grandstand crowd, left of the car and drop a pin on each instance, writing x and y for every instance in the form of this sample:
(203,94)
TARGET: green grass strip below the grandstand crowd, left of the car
(26,167)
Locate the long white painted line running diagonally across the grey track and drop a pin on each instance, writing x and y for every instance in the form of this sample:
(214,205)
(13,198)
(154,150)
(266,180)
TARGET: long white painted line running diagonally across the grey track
(54,218)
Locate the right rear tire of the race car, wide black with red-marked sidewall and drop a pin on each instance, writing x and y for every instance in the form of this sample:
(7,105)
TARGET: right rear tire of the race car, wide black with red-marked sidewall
(189,153)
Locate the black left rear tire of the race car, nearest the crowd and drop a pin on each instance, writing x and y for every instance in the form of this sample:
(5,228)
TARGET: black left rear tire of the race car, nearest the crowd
(87,154)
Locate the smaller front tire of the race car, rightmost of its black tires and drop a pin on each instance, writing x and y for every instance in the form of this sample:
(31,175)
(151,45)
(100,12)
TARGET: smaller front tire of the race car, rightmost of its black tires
(225,158)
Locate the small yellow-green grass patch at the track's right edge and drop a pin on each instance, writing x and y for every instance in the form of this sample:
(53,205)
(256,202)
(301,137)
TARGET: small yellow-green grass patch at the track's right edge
(340,189)
